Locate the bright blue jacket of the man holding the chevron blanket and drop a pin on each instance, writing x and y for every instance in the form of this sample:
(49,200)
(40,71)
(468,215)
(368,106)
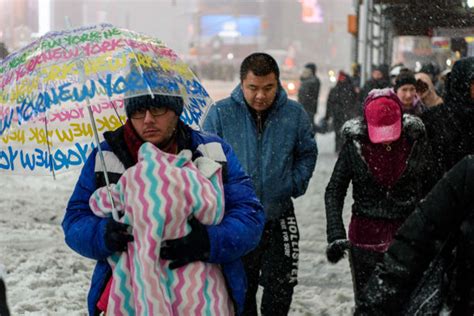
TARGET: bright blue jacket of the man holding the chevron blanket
(237,234)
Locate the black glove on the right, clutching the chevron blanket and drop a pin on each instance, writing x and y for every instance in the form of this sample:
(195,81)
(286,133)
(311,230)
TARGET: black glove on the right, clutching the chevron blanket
(193,247)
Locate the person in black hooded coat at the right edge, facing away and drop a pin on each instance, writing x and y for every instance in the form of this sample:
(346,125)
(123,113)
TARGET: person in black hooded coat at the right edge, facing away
(450,126)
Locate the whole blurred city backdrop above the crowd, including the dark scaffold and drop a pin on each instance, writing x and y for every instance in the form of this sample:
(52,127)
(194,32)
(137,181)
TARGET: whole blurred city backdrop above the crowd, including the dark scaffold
(214,35)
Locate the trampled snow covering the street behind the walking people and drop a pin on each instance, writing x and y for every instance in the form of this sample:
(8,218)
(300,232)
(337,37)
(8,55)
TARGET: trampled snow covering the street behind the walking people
(45,277)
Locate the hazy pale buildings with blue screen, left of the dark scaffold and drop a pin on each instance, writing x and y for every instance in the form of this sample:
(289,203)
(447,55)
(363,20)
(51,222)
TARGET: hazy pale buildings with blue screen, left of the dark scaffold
(213,35)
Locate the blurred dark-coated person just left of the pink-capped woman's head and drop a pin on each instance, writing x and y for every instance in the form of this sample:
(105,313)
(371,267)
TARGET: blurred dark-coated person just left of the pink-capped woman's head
(341,105)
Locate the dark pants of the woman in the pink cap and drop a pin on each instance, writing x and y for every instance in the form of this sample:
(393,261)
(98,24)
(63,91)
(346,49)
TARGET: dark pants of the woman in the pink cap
(362,263)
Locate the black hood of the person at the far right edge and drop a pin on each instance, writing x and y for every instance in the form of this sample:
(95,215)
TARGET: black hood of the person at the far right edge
(459,82)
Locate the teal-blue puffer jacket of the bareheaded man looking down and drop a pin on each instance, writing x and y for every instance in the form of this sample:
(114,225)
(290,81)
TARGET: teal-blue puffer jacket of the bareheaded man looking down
(280,160)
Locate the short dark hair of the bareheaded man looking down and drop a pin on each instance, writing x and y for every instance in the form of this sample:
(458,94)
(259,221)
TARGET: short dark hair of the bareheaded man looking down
(260,64)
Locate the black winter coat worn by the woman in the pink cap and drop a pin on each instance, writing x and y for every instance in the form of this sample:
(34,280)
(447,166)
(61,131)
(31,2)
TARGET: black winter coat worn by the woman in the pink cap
(371,199)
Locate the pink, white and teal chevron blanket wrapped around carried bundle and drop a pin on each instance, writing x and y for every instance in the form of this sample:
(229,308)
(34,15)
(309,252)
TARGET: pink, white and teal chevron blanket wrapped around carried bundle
(158,195)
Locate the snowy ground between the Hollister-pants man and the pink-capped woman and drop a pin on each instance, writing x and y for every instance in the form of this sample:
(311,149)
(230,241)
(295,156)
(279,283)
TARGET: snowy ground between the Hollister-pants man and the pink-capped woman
(323,288)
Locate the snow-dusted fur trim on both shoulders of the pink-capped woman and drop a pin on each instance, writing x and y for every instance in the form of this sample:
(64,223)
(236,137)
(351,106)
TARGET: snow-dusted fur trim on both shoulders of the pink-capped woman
(356,129)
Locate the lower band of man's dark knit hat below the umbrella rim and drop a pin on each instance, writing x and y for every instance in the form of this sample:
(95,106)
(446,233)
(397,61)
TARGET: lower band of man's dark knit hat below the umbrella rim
(137,103)
